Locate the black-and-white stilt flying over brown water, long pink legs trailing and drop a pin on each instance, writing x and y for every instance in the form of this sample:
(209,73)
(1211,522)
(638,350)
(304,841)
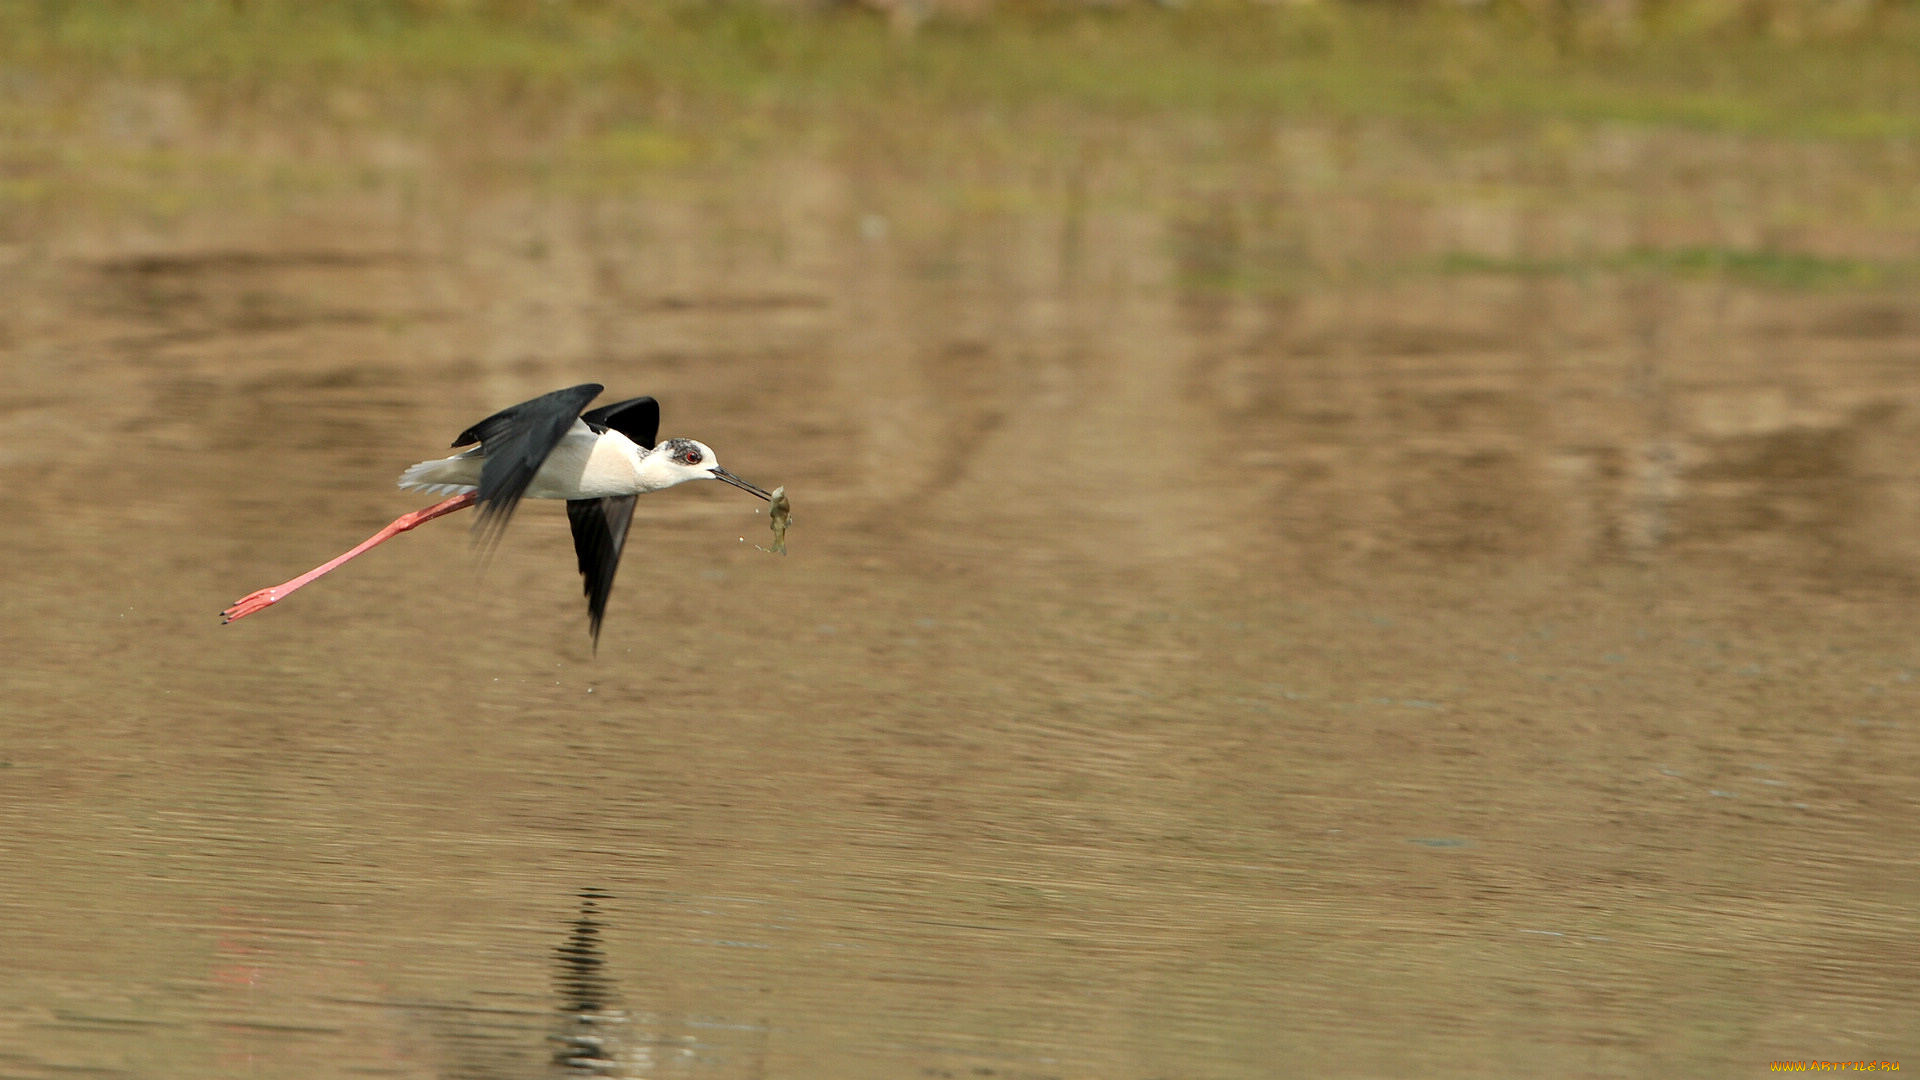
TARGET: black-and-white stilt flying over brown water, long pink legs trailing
(600,462)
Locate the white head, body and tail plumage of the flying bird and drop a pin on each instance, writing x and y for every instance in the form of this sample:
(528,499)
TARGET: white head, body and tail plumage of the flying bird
(585,466)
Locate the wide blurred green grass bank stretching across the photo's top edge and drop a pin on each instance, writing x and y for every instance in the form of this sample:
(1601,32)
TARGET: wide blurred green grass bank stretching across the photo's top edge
(1433,64)
